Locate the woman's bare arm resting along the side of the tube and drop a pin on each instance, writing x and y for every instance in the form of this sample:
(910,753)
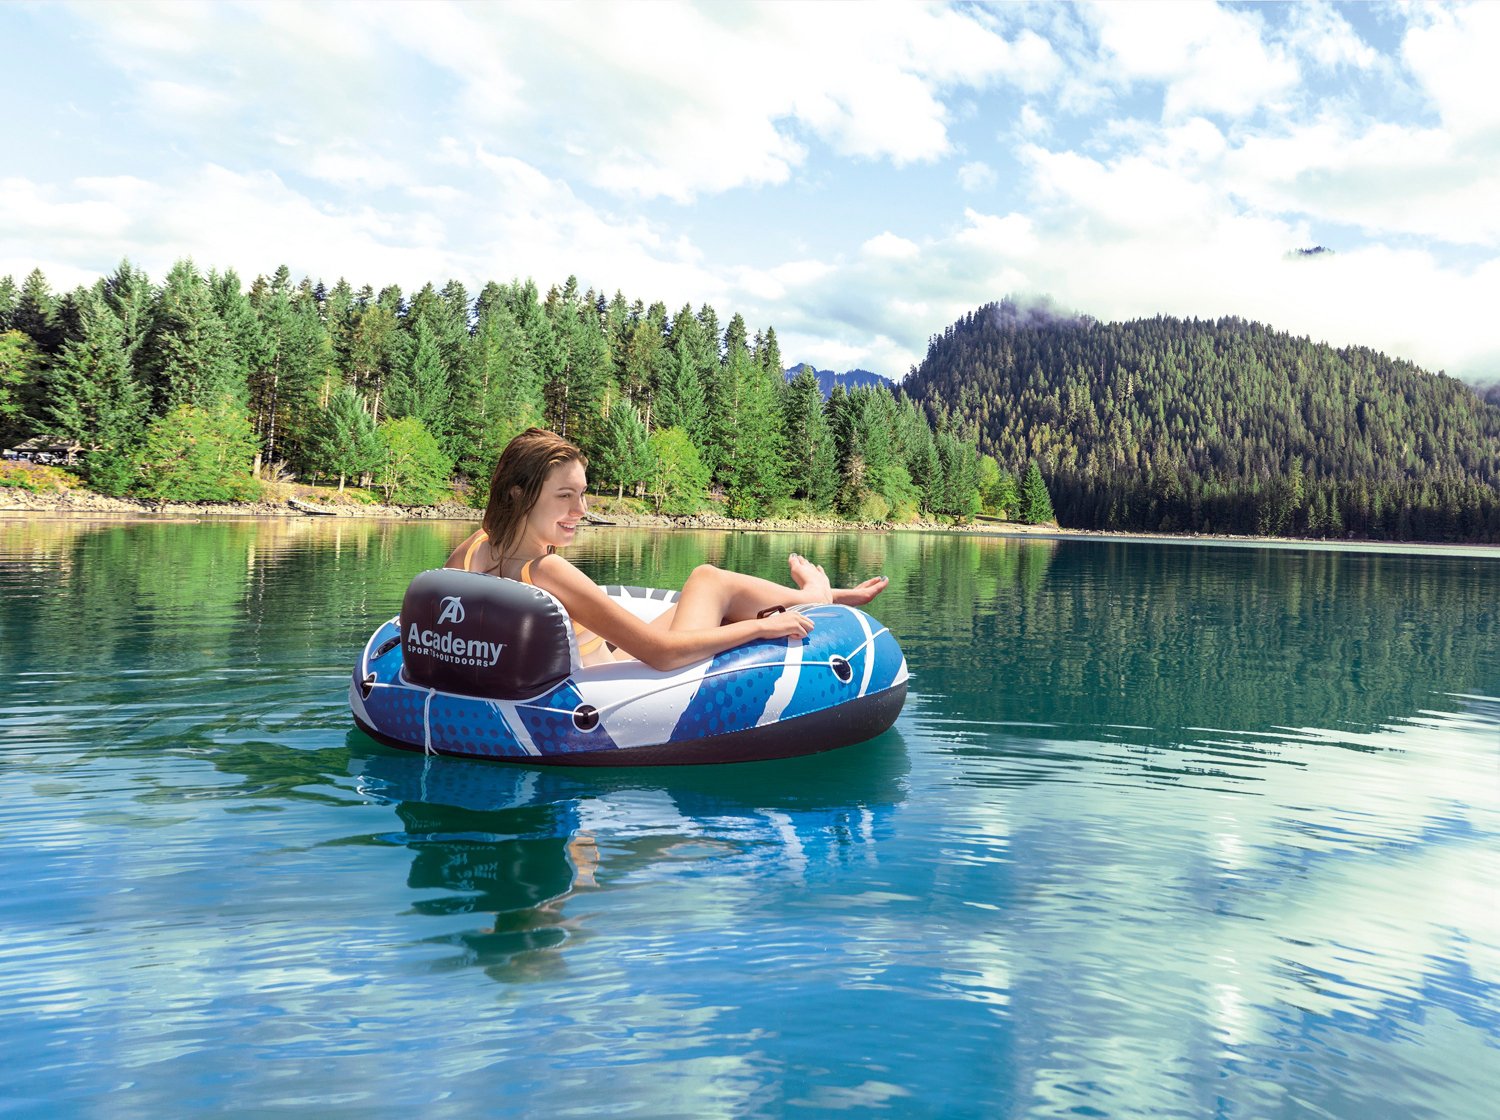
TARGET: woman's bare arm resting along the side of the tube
(658,647)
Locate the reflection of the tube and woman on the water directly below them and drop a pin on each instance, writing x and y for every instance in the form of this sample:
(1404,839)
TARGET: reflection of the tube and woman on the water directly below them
(521,845)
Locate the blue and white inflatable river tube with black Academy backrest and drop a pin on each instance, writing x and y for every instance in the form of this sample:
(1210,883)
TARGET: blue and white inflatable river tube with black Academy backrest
(487,668)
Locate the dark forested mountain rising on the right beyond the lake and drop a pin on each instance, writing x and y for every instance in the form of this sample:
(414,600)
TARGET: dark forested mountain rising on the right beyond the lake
(1225,427)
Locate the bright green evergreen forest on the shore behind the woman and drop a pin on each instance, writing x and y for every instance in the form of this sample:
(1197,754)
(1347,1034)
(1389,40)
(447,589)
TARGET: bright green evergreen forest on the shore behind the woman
(200,389)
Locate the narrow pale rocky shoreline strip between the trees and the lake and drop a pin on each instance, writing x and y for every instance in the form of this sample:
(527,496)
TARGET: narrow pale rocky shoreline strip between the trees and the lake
(74,506)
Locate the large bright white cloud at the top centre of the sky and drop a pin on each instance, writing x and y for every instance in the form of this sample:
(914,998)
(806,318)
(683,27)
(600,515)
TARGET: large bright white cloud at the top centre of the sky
(704,100)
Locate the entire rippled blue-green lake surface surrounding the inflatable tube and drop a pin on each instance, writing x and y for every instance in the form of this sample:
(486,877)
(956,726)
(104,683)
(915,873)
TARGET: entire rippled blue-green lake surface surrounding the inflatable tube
(1166,830)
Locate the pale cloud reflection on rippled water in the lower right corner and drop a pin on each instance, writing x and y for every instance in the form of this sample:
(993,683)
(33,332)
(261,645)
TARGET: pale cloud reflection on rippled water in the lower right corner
(1339,912)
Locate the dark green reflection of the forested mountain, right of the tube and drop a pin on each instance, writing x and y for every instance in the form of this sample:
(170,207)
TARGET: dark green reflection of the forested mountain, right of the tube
(1198,656)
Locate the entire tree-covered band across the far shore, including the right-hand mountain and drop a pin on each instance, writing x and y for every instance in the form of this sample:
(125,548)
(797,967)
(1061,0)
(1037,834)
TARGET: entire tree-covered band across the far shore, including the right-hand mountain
(203,389)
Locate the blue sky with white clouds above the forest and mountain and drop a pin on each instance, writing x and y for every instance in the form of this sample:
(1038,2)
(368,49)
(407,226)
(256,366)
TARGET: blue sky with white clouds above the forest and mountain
(856,176)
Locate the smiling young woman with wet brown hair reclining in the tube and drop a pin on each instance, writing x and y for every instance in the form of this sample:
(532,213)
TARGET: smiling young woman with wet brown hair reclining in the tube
(536,503)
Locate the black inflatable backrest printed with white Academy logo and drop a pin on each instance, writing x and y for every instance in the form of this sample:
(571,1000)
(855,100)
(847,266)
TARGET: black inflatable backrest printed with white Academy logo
(485,636)
